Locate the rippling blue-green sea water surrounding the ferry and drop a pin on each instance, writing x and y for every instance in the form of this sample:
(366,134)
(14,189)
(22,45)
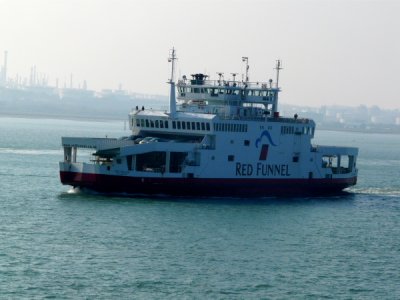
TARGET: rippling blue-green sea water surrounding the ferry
(65,245)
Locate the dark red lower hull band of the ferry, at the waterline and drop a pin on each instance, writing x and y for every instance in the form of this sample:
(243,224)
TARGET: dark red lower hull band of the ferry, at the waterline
(205,186)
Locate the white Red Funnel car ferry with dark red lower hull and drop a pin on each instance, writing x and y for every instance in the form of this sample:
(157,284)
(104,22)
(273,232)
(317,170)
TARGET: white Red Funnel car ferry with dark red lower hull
(222,138)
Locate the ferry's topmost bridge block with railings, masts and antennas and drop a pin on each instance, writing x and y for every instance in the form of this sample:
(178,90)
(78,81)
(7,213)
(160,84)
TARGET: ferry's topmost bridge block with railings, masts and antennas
(230,98)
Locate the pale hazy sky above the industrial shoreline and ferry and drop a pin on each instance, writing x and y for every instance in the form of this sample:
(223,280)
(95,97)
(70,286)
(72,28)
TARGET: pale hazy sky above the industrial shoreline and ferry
(333,52)
